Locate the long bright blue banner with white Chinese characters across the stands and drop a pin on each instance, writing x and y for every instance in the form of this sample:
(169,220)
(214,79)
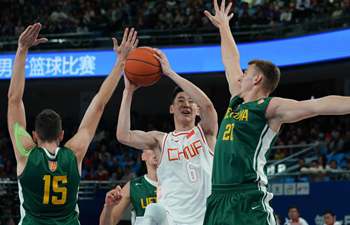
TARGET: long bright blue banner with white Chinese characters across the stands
(186,60)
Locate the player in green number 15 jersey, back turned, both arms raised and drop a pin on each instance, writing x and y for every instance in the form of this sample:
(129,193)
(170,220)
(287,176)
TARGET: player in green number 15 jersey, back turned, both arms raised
(49,175)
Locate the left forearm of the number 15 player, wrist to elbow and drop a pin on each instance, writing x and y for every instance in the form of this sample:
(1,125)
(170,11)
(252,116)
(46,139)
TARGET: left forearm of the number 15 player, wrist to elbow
(16,89)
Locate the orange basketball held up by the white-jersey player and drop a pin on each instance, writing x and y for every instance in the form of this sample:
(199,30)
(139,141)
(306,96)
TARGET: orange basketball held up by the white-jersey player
(142,68)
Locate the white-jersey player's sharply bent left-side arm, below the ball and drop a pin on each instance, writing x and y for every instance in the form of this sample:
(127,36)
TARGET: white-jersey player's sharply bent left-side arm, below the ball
(134,138)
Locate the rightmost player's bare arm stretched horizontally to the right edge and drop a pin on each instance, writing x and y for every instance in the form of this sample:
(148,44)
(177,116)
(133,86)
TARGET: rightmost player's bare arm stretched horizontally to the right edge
(283,110)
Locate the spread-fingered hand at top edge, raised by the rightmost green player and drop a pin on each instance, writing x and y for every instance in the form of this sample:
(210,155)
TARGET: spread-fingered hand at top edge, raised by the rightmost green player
(222,15)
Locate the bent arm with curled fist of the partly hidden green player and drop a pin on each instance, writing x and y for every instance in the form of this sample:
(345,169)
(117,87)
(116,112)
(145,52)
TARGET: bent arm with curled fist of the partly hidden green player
(116,202)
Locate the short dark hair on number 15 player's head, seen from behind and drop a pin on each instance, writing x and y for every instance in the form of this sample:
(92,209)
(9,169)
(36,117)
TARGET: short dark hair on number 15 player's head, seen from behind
(48,125)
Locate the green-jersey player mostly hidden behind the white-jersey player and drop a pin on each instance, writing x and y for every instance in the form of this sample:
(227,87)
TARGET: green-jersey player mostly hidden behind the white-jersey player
(139,192)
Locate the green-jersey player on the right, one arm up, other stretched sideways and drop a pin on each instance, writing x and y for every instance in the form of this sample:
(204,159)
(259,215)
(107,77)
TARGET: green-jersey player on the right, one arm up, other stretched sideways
(248,130)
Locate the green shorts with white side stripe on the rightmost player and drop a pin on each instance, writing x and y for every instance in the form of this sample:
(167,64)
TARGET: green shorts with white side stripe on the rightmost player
(239,205)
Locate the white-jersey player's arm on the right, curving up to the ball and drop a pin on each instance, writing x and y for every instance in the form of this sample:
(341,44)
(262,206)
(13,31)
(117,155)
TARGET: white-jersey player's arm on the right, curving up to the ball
(208,115)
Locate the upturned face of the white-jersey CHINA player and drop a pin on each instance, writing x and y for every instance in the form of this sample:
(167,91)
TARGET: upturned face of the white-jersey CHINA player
(184,108)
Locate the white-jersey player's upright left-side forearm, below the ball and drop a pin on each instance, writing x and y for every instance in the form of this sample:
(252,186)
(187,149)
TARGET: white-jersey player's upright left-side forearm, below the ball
(123,127)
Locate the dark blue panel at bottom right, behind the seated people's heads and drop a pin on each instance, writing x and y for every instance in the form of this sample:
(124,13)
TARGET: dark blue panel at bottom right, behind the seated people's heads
(313,199)
